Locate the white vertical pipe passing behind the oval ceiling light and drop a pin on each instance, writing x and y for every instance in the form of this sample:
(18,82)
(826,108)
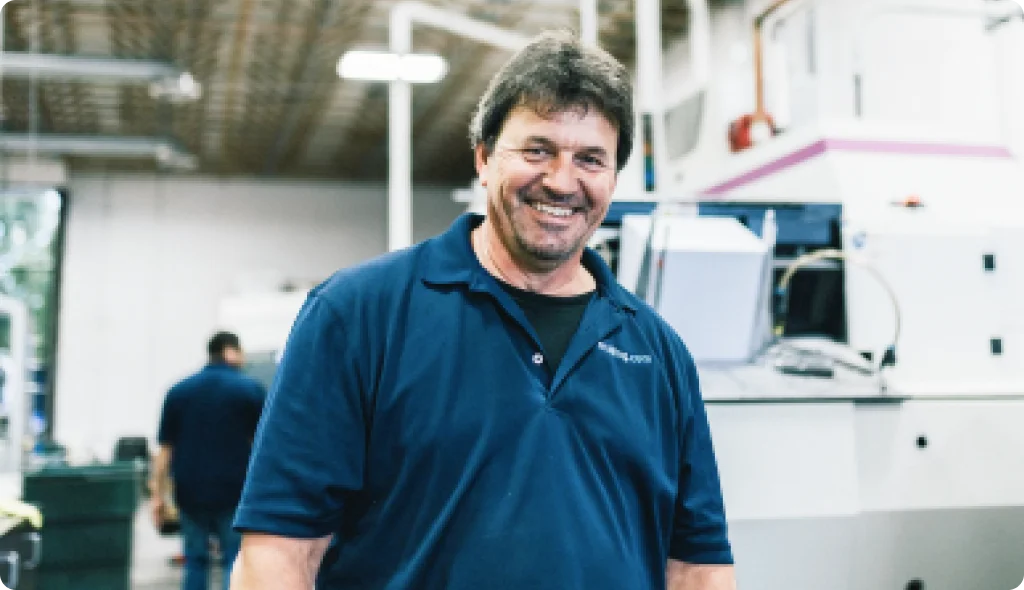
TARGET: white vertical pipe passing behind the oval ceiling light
(400,219)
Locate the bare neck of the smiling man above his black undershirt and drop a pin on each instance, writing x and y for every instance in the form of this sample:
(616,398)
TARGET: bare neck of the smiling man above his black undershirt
(567,279)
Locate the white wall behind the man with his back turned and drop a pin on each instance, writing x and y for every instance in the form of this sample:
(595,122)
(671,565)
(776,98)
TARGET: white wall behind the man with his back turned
(148,262)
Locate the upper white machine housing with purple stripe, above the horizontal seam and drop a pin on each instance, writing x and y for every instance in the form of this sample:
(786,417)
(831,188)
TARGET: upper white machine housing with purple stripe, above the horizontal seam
(934,257)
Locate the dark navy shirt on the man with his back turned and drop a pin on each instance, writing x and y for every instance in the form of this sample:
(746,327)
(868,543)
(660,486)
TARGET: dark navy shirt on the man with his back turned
(209,420)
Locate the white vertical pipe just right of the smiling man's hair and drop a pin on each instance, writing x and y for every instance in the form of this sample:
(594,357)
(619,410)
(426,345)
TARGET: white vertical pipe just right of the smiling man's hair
(650,87)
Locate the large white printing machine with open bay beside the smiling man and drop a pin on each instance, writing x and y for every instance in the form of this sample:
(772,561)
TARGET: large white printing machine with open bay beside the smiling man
(869,420)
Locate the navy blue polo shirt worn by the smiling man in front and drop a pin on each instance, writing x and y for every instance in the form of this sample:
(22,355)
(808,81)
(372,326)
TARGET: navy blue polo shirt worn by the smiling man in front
(414,419)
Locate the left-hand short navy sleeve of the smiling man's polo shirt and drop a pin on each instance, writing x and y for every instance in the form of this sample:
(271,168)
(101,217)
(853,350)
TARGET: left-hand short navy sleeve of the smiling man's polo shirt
(309,453)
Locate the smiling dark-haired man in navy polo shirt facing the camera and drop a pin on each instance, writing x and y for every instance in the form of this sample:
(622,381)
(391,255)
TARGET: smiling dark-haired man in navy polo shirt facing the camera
(490,409)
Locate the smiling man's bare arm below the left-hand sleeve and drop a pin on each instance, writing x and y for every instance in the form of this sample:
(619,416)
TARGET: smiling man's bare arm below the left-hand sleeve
(269,562)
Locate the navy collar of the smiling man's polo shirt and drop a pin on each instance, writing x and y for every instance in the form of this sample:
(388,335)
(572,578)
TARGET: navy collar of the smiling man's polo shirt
(451,261)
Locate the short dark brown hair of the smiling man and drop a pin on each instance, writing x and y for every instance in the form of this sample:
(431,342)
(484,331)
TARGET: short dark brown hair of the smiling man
(553,74)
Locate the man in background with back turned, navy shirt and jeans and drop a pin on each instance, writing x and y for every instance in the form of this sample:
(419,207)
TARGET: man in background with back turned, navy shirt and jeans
(206,434)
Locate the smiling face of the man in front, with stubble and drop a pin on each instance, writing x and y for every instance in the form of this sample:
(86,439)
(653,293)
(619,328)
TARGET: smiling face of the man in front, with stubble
(549,183)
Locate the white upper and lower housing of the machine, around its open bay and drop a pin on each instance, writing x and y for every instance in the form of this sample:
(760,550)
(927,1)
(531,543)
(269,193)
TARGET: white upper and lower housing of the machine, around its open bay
(911,482)
